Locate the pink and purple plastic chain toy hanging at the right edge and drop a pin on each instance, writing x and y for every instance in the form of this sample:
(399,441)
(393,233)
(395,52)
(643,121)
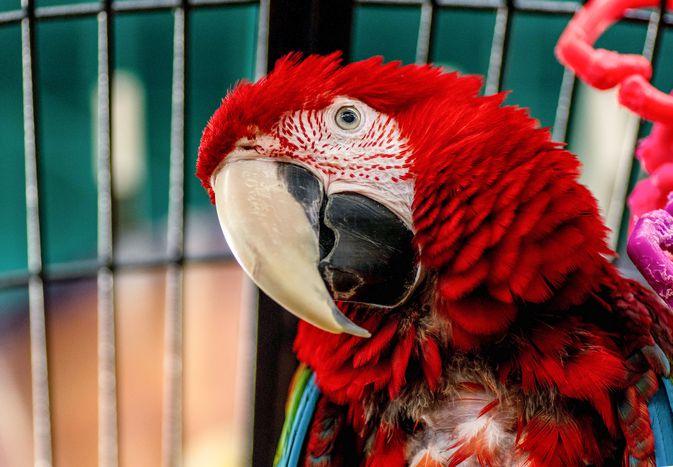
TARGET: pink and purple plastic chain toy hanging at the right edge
(650,245)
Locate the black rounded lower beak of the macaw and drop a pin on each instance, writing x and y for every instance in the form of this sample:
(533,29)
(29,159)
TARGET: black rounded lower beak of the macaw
(372,259)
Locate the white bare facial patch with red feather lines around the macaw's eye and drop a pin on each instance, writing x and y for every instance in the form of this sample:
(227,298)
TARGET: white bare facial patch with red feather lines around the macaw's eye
(370,158)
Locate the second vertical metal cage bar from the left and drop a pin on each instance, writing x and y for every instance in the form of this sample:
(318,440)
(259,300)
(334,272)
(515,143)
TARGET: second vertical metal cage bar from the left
(108,442)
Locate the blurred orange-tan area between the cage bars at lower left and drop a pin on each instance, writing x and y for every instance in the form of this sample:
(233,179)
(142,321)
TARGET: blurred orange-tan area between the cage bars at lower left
(215,422)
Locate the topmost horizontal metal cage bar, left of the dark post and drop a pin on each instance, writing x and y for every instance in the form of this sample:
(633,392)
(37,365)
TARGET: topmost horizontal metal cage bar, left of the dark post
(127,6)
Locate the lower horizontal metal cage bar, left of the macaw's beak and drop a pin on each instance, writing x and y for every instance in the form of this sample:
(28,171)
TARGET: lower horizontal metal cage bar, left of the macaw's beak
(88,269)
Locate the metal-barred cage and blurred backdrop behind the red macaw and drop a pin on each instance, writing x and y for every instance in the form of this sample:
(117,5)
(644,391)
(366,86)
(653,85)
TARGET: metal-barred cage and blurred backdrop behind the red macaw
(122,315)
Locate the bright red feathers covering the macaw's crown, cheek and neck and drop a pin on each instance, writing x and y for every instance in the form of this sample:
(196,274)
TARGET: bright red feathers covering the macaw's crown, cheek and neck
(497,212)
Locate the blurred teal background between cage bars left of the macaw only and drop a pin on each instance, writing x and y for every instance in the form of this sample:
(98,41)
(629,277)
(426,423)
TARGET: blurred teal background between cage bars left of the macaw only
(221,46)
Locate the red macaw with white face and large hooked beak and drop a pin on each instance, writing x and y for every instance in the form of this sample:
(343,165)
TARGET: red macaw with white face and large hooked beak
(458,300)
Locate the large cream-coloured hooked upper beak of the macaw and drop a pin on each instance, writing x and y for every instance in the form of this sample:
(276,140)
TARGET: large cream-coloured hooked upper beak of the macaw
(270,215)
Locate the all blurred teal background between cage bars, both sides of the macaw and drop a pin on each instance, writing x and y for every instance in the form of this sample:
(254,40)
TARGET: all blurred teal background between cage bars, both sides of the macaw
(221,51)
